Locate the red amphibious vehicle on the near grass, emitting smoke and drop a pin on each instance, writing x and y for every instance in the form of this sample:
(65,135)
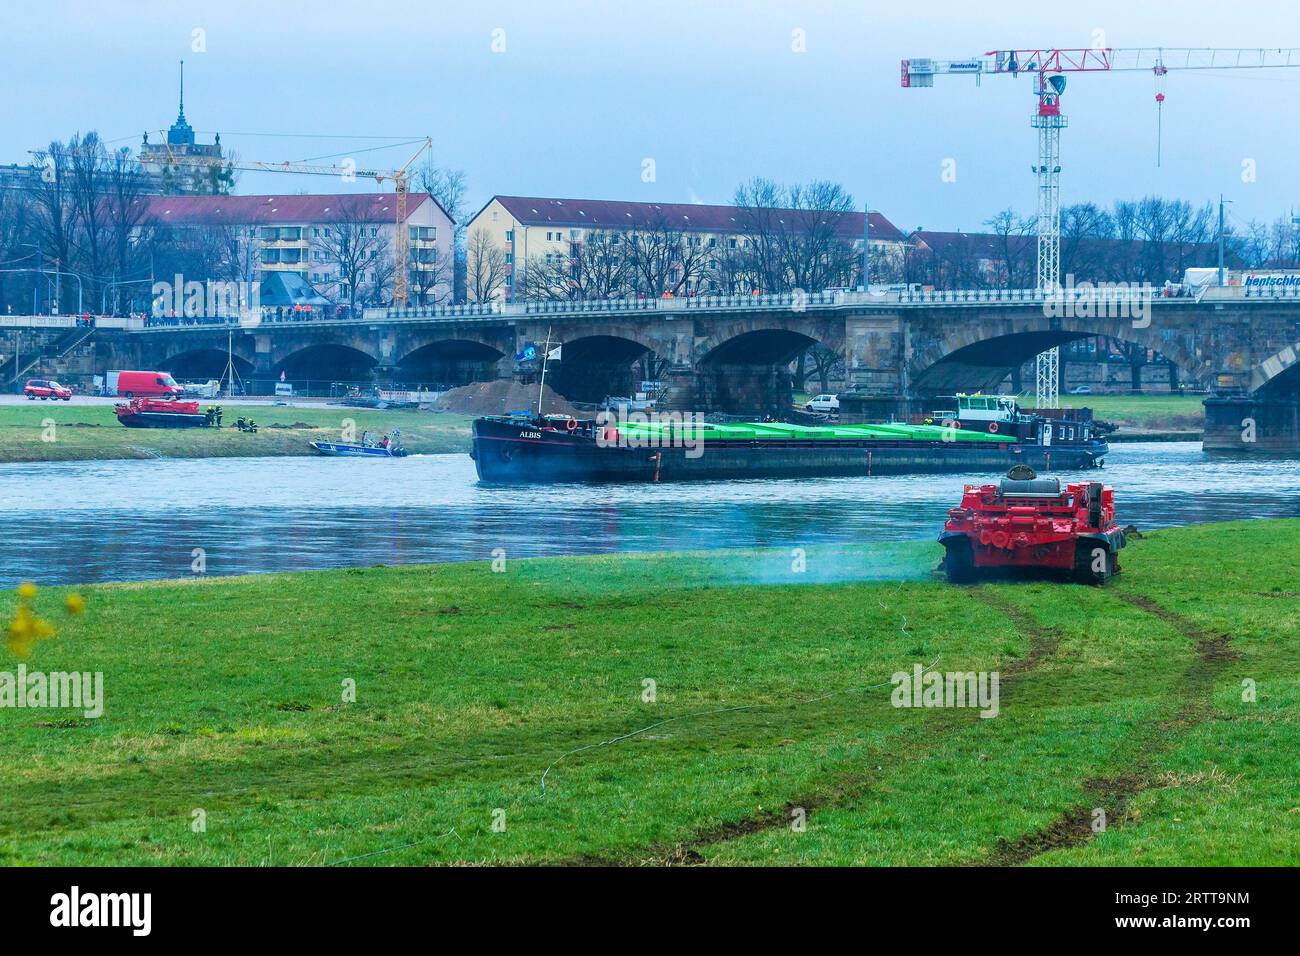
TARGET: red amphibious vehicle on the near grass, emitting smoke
(1026,522)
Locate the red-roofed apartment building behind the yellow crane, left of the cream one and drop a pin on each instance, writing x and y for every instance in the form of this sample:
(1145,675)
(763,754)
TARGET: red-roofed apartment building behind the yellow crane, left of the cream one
(344,245)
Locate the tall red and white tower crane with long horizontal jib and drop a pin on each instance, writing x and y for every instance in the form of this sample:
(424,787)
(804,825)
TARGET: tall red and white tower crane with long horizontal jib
(1048,68)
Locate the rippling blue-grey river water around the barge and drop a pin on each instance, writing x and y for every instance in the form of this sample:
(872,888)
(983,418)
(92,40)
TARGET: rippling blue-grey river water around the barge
(81,522)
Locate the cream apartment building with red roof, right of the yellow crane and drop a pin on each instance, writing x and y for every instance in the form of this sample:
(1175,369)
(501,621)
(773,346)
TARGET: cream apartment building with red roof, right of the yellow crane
(541,231)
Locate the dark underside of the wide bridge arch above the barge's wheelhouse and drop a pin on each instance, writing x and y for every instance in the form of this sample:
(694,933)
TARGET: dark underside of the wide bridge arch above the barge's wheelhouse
(980,356)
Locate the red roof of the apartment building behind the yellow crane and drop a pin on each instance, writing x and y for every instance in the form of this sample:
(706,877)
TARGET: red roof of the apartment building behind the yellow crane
(376,207)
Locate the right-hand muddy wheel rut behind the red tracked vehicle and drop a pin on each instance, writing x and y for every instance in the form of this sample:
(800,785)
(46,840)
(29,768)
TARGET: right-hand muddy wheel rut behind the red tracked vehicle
(1115,794)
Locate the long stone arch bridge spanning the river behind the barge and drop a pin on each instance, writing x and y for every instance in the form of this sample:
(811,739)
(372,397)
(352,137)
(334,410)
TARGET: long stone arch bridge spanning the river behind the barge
(734,353)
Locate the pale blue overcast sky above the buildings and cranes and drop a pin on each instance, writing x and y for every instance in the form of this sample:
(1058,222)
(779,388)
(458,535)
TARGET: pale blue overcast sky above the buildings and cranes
(671,101)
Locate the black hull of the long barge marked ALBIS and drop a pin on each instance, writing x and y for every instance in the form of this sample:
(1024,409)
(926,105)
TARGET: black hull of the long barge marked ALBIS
(518,453)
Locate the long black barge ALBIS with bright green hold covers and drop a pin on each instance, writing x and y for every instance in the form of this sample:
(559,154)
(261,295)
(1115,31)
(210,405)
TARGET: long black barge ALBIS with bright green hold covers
(638,448)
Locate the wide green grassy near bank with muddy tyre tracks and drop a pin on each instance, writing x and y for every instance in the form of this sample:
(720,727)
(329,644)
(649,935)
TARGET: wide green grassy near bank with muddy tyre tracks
(227,697)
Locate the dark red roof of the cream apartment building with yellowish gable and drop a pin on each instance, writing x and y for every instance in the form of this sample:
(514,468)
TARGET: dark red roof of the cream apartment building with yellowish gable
(612,214)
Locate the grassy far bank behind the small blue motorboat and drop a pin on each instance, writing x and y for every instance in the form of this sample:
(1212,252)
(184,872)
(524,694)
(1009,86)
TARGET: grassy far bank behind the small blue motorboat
(93,432)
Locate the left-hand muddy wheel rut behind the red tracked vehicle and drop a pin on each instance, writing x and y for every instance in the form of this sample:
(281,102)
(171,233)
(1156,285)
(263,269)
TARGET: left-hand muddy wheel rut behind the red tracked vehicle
(846,790)
